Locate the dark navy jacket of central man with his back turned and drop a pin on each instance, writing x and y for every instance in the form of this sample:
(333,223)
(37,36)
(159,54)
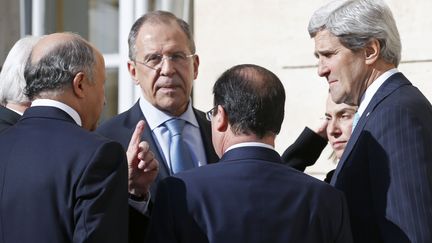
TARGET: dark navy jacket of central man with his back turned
(249,196)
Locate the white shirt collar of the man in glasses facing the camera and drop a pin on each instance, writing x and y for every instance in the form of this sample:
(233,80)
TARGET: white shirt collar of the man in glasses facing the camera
(156,117)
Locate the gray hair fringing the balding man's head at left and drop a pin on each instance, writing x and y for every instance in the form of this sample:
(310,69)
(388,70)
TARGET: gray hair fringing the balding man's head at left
(55,71)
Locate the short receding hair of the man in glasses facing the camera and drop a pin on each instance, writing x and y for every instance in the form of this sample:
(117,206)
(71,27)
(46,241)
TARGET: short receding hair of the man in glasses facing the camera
(157,17)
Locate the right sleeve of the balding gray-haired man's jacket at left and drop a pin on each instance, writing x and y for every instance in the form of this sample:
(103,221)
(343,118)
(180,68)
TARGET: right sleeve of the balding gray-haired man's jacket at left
(101,207)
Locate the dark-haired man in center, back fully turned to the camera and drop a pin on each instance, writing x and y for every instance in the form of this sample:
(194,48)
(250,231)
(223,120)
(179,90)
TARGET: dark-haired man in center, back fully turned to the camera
(249,195)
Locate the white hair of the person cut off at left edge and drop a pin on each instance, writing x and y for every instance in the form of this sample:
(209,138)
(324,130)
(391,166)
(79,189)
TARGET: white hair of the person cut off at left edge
(12,82)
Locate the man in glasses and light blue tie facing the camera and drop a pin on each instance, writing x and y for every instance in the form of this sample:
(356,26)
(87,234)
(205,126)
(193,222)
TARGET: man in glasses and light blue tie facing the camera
(164,64)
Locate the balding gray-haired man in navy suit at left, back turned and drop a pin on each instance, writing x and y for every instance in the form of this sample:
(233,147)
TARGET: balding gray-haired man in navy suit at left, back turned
(60,182)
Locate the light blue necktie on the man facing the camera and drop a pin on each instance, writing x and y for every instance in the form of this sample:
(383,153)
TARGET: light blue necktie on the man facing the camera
(178,151)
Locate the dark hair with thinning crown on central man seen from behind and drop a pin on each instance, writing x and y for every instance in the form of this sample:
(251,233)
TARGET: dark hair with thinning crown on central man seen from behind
(253,98)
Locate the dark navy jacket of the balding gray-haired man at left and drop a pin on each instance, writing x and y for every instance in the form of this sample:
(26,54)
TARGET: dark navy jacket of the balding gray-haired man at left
(60,183)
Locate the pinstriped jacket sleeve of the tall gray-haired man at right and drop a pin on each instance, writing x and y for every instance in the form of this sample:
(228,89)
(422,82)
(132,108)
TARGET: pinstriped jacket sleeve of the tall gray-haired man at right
(401,174)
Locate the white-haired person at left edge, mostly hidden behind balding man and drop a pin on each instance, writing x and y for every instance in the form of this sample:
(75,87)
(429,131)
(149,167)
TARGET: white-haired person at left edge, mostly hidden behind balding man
(13,102)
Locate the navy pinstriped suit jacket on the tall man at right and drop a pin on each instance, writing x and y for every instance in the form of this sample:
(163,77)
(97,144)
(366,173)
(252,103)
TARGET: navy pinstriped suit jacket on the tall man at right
(386,169)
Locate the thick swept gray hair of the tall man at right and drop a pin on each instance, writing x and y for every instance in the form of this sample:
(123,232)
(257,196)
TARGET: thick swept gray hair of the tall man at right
(357,22)
